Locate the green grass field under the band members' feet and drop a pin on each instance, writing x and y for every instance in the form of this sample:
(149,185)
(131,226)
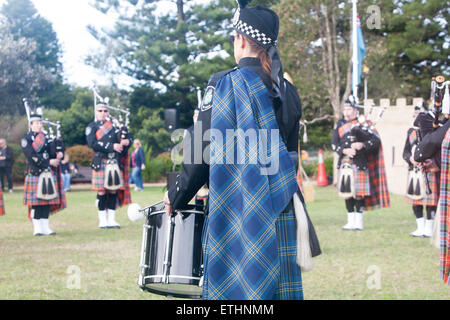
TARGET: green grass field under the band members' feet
(84,262)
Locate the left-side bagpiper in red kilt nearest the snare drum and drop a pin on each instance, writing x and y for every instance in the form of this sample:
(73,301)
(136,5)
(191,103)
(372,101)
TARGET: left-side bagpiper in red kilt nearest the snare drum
(110,171)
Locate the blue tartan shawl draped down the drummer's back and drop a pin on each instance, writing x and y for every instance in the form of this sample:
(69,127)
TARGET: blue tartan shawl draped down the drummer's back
(246,196)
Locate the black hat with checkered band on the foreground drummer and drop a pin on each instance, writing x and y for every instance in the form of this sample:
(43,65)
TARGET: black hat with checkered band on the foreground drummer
(258,23)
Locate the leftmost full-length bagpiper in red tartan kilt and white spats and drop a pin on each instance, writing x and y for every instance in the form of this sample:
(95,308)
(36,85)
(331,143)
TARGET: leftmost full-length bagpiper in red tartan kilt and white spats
(40,158)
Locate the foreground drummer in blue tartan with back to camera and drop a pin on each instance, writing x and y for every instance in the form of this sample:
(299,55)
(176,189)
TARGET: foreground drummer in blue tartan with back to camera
(250,235)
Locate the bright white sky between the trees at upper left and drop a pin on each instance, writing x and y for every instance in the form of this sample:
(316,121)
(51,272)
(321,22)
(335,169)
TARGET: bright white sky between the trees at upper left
(70,19)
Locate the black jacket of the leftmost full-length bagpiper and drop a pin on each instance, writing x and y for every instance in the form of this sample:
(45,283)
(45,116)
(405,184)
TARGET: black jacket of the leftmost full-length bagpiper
(38,161)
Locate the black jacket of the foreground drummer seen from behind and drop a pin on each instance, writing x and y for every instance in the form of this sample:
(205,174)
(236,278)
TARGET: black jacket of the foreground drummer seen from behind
(194,174)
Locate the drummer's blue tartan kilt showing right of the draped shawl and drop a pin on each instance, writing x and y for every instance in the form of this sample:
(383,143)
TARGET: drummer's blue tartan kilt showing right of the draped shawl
(290,280)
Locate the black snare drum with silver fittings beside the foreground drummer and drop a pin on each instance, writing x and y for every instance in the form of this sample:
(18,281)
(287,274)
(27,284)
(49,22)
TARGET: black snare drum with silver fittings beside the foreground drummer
(171,257)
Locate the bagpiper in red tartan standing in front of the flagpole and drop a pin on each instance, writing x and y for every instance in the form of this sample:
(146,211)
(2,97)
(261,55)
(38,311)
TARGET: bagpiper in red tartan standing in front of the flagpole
(362,178)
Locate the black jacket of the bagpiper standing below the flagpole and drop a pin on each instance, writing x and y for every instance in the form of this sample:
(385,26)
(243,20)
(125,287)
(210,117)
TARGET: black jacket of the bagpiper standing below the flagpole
(357,134)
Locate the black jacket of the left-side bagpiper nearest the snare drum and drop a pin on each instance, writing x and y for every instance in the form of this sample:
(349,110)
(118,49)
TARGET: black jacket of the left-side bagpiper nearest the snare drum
(104,147)
